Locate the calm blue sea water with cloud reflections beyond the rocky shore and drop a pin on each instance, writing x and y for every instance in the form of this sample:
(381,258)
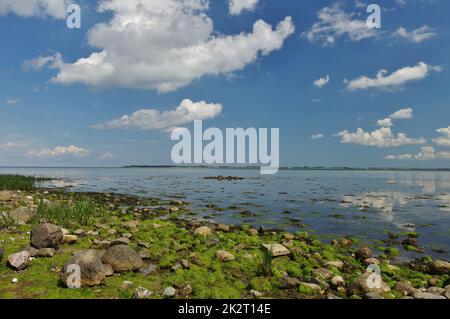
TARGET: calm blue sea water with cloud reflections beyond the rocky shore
(366,204)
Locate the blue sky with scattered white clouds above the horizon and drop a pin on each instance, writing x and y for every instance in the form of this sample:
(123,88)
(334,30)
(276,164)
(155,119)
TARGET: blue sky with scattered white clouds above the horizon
(64,92)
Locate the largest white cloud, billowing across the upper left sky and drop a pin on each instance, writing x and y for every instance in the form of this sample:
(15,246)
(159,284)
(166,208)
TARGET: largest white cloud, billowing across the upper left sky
(165,45)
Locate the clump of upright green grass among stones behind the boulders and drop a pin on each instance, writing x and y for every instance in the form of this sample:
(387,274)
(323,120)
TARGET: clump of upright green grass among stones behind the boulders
(81,212)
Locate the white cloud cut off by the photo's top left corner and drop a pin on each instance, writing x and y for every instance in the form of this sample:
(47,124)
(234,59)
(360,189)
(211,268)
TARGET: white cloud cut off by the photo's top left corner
(34,8)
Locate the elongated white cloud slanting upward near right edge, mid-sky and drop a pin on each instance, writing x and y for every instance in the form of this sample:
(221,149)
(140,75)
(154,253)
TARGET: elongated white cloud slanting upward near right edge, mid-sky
(395,80)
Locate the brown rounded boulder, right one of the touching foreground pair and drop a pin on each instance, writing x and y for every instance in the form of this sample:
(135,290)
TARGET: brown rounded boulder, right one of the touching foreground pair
(122,259)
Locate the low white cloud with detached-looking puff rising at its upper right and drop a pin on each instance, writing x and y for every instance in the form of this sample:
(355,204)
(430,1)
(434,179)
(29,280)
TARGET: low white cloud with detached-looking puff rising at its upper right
(382,137)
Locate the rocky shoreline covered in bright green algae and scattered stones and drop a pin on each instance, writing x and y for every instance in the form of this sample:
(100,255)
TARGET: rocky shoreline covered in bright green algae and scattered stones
(137,247)
